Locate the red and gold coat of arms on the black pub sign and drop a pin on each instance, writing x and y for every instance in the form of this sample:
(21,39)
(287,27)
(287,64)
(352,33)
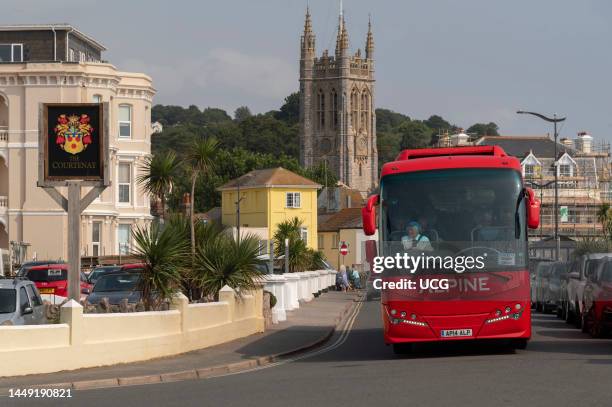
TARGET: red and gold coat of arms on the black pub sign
(73,133)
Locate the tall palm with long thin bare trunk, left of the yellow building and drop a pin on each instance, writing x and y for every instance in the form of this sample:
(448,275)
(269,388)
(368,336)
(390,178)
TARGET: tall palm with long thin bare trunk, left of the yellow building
(201,161)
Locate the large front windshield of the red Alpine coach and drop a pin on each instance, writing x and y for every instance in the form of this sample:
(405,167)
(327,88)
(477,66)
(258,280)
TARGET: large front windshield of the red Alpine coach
(456,212)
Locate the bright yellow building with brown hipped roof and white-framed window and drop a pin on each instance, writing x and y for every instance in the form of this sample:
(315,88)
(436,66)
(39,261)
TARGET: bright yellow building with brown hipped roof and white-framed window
(269,197)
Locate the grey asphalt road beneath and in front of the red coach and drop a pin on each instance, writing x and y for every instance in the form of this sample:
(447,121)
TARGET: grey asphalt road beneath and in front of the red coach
(561,367)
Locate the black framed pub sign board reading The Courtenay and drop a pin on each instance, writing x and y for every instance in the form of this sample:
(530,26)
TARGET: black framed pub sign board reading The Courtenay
(73,143)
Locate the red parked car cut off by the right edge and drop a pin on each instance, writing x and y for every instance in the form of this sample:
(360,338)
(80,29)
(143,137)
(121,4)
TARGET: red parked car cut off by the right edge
(597,298)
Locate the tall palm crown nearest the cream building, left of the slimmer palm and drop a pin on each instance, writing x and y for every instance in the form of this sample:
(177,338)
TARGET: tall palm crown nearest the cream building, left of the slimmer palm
(158,175)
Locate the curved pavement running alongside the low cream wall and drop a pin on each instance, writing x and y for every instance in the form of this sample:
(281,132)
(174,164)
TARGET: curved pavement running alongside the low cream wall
(307,327)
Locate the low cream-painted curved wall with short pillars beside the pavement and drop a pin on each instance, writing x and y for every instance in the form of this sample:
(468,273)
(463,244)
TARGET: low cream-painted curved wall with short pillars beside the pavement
(91,340)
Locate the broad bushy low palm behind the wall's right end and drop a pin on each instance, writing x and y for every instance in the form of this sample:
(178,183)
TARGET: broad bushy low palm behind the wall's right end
(225,261)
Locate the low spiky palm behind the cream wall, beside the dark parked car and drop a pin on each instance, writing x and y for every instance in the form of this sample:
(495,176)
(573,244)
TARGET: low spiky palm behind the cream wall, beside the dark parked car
(163,252)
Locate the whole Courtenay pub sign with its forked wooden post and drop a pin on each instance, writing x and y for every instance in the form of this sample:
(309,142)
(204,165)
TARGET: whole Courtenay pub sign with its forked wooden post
(73,152)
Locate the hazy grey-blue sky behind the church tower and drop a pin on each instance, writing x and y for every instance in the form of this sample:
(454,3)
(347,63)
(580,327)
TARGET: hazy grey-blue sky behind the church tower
(467,60)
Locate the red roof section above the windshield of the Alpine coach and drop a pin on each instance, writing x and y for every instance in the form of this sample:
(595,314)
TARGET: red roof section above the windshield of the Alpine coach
(446,158)
